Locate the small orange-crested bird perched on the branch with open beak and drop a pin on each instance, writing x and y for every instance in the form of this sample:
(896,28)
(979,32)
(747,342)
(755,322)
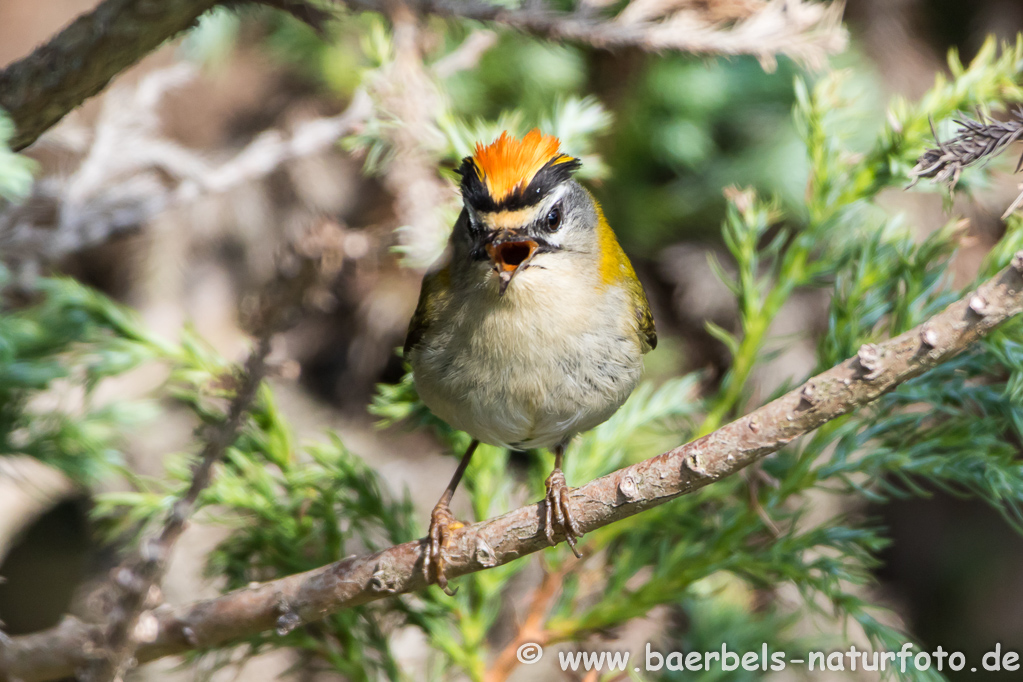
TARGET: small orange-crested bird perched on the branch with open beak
(531,328)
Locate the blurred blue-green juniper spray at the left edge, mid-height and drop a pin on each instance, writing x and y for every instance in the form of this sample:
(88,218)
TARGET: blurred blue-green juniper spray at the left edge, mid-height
(54,354)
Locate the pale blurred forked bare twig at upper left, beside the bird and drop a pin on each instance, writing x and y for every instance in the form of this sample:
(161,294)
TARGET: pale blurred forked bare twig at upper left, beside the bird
(130,173)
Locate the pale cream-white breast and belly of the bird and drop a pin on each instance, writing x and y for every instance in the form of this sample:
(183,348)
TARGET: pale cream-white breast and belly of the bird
(550,359)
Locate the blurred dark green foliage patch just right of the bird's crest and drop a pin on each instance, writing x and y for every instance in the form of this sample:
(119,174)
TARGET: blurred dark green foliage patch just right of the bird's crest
(687,130)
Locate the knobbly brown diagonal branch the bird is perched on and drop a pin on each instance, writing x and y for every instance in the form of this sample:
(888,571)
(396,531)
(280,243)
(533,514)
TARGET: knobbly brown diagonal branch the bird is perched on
(309,597)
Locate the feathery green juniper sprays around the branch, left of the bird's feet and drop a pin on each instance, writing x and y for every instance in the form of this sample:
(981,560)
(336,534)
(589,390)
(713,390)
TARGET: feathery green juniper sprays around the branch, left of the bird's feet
(290,510)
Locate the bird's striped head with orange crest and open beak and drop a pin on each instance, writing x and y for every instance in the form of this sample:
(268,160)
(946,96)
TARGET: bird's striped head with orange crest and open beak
(522,208)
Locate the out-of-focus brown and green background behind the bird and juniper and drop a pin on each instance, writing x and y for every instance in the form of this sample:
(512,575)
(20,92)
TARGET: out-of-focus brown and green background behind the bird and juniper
(187,196)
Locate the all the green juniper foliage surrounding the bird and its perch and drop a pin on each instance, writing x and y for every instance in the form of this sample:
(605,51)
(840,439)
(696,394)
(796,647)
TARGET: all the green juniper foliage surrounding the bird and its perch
(742,563)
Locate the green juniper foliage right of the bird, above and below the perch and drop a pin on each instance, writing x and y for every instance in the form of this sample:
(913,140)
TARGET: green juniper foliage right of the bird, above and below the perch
(955,429)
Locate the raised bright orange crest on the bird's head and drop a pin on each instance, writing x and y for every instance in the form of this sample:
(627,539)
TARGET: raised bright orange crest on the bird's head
(510,163)
